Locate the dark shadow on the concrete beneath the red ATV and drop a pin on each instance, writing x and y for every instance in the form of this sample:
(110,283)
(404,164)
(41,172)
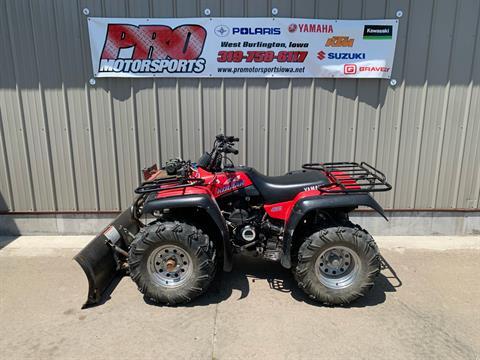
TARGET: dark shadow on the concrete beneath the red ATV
(247,270)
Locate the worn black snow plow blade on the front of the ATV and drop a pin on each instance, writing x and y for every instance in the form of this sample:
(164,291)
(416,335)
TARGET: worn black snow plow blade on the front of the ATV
(100,258)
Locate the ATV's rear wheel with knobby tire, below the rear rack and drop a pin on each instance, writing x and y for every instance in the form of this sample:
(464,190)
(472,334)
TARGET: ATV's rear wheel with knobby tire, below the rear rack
(337,265)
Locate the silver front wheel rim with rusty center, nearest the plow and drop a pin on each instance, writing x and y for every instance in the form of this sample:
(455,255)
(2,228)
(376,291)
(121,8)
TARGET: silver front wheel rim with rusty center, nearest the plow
(170,266)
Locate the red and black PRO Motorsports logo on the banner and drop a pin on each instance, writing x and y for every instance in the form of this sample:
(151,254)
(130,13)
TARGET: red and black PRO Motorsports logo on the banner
(153,49)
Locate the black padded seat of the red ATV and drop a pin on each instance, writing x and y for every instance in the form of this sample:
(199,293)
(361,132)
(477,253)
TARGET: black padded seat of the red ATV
(276,189)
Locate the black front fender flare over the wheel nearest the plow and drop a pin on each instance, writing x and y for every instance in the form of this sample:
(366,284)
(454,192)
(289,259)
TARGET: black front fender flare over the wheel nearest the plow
(202,201)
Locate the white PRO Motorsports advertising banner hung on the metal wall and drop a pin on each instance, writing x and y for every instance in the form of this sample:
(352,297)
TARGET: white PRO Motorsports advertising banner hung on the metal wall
(242,47)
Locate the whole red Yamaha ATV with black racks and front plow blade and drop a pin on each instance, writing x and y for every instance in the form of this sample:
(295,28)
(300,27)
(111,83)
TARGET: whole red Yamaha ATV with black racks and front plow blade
(190,218)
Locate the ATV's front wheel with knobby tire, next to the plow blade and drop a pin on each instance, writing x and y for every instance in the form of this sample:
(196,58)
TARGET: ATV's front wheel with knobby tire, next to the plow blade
(172,262)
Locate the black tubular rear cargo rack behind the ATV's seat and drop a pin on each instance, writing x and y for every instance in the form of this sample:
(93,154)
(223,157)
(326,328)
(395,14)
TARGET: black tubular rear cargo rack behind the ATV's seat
(351,177)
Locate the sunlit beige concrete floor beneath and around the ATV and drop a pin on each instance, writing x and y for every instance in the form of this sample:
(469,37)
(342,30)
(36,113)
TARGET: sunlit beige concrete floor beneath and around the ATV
(428,310)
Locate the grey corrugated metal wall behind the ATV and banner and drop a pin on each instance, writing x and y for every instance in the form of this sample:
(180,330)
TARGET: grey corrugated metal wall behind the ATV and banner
(69,146)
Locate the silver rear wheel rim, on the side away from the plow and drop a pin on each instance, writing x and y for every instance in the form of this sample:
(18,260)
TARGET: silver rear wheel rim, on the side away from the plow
(337,267)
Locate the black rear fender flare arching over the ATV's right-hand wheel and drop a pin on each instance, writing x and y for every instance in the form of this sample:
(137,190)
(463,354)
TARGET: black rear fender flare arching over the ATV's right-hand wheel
(305,205)
